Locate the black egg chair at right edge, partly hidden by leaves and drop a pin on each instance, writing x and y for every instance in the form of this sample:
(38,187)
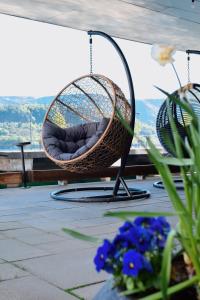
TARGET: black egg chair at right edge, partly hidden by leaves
(181,118)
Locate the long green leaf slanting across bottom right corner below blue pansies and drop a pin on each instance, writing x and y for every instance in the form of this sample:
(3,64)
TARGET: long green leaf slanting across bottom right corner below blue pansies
(175,288)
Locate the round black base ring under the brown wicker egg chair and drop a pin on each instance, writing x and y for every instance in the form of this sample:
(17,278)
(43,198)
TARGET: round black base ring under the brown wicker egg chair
(122,195)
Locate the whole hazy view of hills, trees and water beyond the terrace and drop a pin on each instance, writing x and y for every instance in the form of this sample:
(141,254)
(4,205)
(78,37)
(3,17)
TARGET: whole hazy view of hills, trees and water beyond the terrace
(21,118)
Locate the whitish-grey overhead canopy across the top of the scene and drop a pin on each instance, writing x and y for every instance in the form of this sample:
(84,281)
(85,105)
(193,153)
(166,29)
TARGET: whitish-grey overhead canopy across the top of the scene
(173,22)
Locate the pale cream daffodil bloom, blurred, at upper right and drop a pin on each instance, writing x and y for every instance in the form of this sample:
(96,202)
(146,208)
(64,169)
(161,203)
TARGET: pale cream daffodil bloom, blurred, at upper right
(163,54)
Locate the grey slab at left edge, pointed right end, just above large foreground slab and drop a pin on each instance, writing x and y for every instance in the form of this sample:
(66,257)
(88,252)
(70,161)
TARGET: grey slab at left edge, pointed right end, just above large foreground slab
(13,250)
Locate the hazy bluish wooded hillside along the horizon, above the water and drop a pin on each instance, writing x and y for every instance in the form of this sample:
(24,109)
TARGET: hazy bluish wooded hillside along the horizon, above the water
(12,108)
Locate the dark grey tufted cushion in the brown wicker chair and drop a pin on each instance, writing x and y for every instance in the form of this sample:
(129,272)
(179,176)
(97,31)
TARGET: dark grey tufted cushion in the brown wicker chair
(69,143)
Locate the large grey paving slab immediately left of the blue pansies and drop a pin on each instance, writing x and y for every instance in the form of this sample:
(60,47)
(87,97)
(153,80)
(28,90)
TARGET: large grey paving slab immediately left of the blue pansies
(65,270)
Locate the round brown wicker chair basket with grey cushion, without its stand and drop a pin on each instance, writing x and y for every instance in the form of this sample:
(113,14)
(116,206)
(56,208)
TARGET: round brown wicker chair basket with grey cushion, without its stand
(81,132)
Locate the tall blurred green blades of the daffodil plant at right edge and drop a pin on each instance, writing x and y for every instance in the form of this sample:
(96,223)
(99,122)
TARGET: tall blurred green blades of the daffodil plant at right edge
(188,226)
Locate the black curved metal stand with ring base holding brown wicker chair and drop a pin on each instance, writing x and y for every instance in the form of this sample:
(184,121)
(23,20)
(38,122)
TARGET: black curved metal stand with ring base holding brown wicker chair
(117,193)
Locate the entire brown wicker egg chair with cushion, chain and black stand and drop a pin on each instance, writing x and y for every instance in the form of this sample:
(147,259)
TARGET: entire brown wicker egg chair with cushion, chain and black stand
(82,132)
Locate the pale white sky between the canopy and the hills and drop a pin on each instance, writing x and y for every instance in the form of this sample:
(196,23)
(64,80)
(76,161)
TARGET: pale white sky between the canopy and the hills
(38,59)
